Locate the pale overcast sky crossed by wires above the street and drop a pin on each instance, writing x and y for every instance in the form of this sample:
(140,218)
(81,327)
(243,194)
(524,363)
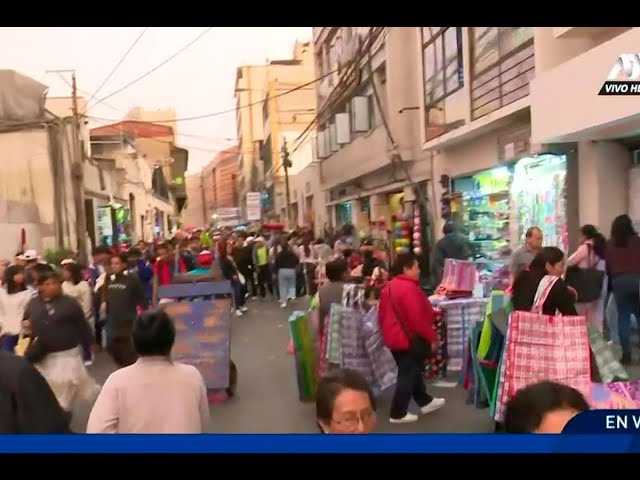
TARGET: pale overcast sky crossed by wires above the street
(197,82)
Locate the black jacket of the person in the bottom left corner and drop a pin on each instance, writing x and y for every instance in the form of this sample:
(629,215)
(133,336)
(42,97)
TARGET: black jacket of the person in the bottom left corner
(27,404)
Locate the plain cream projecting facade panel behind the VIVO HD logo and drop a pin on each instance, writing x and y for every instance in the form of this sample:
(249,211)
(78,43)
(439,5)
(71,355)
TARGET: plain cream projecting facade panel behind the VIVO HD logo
(565,105)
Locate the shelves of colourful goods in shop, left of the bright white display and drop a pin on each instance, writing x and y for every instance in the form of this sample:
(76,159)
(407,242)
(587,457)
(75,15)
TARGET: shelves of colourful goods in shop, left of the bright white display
(480,206)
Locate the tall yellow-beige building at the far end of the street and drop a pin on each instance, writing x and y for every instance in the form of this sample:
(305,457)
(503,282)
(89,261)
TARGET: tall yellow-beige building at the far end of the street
(272,120)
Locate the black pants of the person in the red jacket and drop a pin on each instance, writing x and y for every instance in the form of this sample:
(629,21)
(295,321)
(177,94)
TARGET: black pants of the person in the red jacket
(410,384)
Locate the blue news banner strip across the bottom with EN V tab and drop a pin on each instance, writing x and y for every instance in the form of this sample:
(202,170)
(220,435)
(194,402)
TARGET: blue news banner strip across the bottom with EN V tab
(584,434)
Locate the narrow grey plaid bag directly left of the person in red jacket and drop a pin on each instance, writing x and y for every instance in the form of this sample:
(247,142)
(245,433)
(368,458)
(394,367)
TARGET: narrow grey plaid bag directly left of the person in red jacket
(383,366)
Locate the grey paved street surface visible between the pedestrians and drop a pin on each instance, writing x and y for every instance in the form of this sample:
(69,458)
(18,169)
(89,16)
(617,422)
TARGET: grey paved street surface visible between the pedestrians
(267,401)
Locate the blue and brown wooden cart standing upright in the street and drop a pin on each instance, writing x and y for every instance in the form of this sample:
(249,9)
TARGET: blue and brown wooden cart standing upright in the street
(201,311)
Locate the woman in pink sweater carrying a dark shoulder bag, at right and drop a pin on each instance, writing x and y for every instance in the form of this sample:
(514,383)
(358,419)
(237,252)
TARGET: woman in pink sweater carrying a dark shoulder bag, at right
(590,254)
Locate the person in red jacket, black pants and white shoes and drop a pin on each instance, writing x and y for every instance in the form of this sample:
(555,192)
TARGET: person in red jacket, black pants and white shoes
(405,312)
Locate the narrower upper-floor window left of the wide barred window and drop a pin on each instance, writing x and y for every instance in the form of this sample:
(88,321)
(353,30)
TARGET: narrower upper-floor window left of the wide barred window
(442,57)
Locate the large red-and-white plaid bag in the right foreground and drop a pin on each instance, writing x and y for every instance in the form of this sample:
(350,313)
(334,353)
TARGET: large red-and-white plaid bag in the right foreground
(543,347)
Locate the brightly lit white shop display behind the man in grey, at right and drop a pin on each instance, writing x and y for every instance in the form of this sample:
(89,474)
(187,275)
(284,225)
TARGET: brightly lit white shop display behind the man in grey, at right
(539,199)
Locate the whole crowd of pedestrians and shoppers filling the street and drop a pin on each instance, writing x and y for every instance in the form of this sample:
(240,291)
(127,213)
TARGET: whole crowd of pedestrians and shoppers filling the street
(54,318)
